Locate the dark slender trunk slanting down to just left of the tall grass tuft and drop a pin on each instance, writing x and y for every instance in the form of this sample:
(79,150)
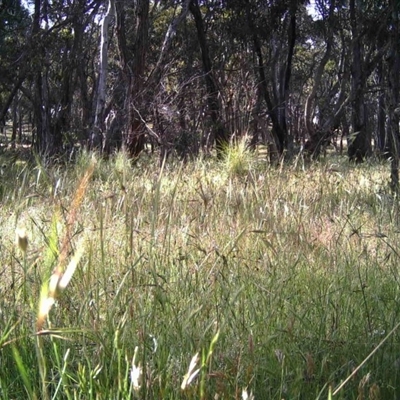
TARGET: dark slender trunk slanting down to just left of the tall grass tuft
(220,133)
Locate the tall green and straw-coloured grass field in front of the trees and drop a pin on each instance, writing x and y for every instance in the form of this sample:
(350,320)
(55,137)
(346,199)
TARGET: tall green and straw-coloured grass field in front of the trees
(208,280)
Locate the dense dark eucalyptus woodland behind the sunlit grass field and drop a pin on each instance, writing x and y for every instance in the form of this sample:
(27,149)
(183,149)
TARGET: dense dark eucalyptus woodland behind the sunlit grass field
(186,75)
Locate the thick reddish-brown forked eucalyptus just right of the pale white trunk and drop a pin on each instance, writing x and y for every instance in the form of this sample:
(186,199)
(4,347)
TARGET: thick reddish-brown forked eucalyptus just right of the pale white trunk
(144,52)
